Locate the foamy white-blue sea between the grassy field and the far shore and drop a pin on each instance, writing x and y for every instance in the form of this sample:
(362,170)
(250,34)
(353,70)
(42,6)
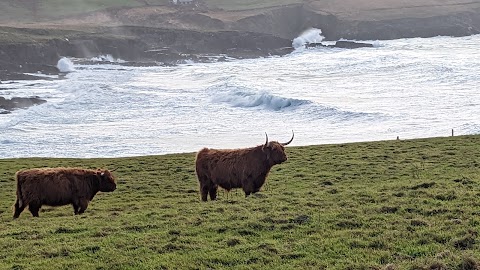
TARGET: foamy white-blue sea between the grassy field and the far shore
(405,88)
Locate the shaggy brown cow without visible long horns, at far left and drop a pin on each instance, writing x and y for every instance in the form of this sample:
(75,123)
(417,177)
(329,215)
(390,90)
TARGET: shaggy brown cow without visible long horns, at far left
(60,186)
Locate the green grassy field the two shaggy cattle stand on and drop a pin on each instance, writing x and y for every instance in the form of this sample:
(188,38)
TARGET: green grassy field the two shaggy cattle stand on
(378,205)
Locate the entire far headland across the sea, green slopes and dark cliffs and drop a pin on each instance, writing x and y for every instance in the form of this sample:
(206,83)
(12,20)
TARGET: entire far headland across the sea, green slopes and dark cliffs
(48,29)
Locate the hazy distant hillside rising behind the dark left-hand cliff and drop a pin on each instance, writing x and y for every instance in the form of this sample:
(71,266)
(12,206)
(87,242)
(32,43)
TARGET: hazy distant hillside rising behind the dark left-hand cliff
(349,19)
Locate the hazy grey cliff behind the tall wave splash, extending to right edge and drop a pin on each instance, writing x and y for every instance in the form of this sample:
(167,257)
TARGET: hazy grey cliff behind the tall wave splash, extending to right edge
(289,22)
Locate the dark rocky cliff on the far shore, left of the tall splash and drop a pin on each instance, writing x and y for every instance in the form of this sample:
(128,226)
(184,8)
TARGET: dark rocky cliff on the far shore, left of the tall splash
(143,45)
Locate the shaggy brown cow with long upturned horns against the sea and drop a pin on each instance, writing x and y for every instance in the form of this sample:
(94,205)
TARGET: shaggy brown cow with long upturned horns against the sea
(239,168)
